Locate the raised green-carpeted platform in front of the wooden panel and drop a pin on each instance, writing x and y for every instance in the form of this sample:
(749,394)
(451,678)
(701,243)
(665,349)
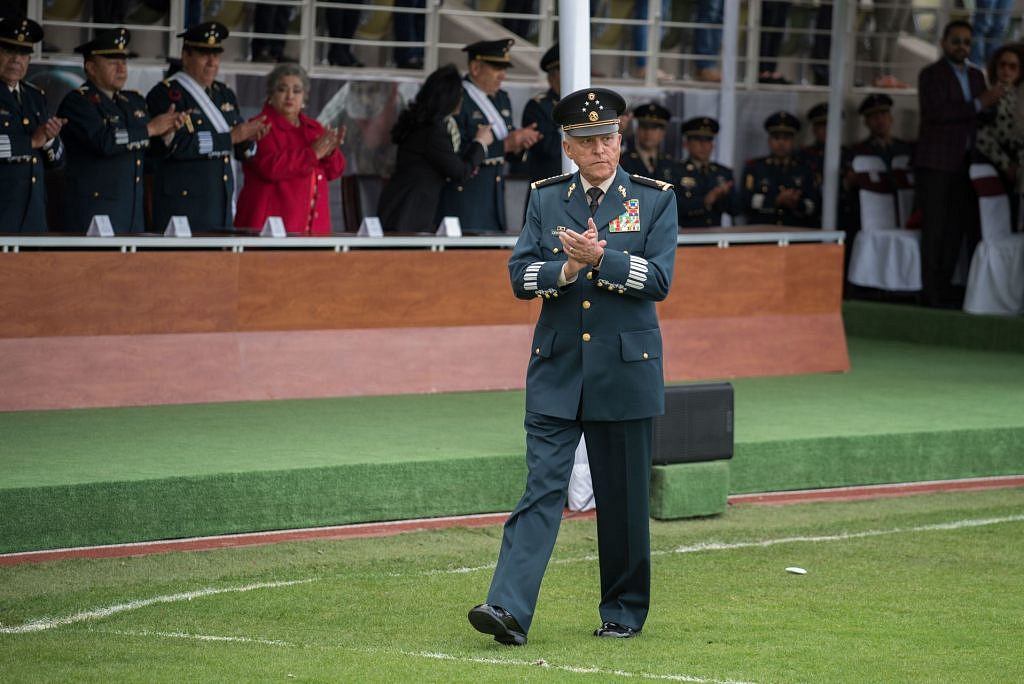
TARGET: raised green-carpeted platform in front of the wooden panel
(906,412)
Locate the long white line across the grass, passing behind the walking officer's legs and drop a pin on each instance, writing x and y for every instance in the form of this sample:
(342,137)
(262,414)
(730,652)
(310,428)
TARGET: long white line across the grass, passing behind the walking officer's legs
(42,624)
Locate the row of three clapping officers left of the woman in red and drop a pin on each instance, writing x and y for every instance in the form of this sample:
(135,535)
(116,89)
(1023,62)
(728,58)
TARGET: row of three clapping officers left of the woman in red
(189,127)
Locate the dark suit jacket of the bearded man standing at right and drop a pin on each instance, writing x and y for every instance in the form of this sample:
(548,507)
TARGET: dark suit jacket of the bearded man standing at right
(949,122)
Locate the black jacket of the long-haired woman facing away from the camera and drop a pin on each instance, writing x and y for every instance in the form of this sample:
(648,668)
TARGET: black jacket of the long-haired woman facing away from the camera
(426,162)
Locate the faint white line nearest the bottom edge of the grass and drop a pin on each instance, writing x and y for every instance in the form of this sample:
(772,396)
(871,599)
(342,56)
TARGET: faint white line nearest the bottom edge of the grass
(434,656)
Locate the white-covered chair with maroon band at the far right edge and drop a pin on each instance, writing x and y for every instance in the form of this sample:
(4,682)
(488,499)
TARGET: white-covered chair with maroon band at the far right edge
(996,281)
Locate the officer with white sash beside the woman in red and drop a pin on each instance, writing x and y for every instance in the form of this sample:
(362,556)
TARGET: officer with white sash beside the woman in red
(194,176)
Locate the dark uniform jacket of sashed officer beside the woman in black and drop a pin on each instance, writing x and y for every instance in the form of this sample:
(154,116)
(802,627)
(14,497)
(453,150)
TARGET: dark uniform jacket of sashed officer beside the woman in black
(480,202)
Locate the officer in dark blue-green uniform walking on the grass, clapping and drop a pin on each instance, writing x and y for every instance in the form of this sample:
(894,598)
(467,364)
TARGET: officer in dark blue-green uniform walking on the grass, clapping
(599,251)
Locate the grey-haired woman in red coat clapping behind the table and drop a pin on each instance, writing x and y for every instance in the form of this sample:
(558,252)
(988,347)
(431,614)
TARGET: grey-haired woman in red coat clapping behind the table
(289,174)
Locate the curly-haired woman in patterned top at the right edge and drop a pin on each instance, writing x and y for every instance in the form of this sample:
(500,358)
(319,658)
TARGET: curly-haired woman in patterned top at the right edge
(1001,134)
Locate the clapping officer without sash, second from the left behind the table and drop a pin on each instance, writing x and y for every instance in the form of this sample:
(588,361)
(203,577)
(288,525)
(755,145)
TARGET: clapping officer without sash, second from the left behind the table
(107,138)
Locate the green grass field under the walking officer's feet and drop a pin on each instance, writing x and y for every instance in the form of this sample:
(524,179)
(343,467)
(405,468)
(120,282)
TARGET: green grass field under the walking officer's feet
(922,589)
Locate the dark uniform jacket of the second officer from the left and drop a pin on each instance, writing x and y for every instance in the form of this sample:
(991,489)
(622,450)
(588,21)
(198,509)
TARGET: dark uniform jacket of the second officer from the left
(106,141)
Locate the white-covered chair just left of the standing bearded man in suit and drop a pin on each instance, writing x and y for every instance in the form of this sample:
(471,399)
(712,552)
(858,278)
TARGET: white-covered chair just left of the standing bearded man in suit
(883,255)
